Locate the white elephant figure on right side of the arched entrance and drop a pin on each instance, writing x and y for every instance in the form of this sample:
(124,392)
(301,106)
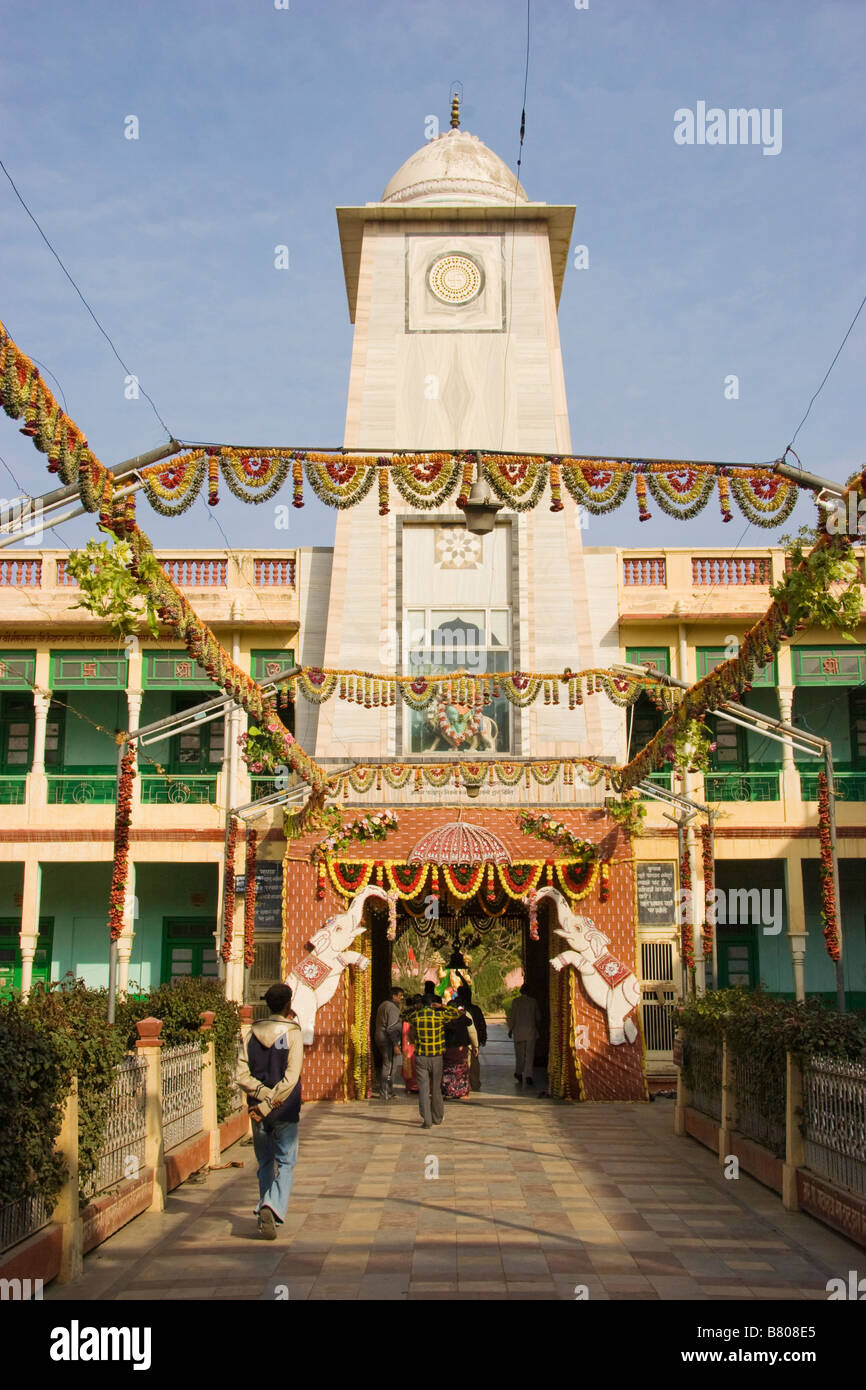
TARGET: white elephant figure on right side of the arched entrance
(610,983)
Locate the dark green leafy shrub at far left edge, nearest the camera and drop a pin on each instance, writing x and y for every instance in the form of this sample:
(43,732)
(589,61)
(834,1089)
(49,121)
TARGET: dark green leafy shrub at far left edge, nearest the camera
(34,1084)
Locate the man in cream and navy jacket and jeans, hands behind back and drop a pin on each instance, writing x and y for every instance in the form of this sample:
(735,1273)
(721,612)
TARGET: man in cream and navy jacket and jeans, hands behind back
(269,1071)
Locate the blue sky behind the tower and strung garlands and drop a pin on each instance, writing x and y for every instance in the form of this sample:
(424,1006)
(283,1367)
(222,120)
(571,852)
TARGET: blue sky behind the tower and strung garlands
(256,123)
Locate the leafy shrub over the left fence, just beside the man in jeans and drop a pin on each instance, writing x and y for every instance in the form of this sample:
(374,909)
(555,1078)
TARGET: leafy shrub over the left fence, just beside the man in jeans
(180,1006)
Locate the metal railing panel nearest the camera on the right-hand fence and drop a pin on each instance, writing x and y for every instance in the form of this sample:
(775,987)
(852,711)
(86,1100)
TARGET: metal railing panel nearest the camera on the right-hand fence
(835,1121)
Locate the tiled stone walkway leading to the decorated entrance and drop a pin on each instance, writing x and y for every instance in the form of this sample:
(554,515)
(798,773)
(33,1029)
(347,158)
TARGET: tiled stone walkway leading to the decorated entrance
(533,1199)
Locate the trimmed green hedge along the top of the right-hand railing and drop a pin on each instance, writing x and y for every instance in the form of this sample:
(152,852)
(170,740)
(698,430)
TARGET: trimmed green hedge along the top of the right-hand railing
(761,1027)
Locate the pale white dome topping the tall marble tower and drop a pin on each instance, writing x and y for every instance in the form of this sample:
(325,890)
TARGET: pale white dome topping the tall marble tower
(457,167)
